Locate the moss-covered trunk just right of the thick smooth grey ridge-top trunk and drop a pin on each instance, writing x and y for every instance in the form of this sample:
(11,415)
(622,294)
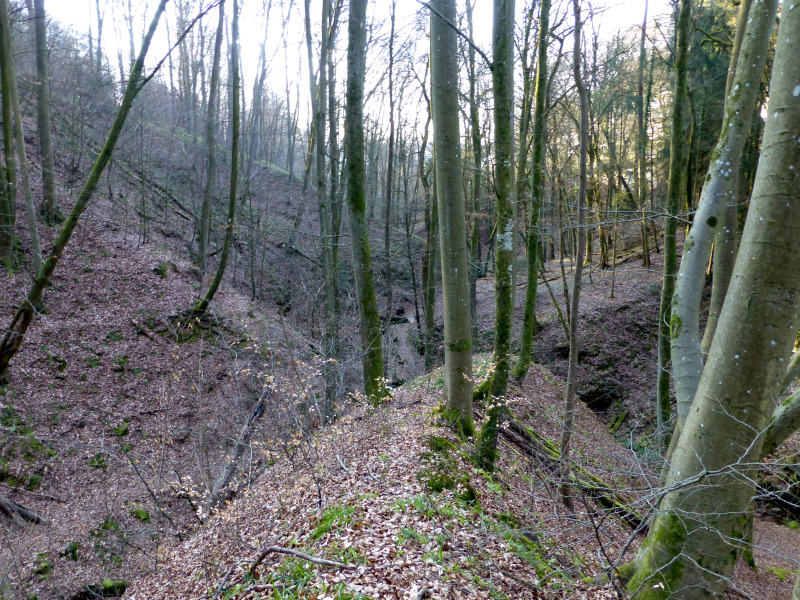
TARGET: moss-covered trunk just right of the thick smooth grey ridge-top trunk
(503,89)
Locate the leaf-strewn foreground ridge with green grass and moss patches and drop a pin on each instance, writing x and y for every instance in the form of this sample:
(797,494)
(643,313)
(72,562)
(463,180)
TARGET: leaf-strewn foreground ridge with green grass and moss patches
(390,493)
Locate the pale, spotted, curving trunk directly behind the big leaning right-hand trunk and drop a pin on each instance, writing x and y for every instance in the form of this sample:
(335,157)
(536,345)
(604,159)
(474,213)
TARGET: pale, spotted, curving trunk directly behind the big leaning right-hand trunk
(739,106)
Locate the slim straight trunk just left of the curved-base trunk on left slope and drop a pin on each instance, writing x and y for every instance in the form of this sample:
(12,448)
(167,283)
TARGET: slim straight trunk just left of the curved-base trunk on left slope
(211,145)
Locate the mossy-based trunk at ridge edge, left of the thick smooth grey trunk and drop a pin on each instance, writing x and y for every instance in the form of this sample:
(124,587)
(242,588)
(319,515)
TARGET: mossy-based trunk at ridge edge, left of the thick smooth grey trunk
(371,346)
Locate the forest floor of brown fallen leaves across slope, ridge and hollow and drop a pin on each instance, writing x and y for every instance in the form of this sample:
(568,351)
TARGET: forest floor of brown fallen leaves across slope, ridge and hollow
(118,419)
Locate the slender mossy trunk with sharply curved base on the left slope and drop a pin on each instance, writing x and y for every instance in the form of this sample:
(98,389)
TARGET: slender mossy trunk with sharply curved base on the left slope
(203,304)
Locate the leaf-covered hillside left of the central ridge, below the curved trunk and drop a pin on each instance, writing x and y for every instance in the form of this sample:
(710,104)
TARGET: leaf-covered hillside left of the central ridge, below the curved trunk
(116,422)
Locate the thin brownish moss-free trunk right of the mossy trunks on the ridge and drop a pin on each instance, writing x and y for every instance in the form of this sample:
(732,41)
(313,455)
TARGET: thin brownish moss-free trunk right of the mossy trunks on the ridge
(574,343)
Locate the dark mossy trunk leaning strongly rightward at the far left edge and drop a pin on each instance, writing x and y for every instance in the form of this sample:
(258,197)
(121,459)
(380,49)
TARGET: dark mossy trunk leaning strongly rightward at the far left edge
(15,333)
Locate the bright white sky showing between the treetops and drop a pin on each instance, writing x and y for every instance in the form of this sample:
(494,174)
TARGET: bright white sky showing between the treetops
(77,14)
